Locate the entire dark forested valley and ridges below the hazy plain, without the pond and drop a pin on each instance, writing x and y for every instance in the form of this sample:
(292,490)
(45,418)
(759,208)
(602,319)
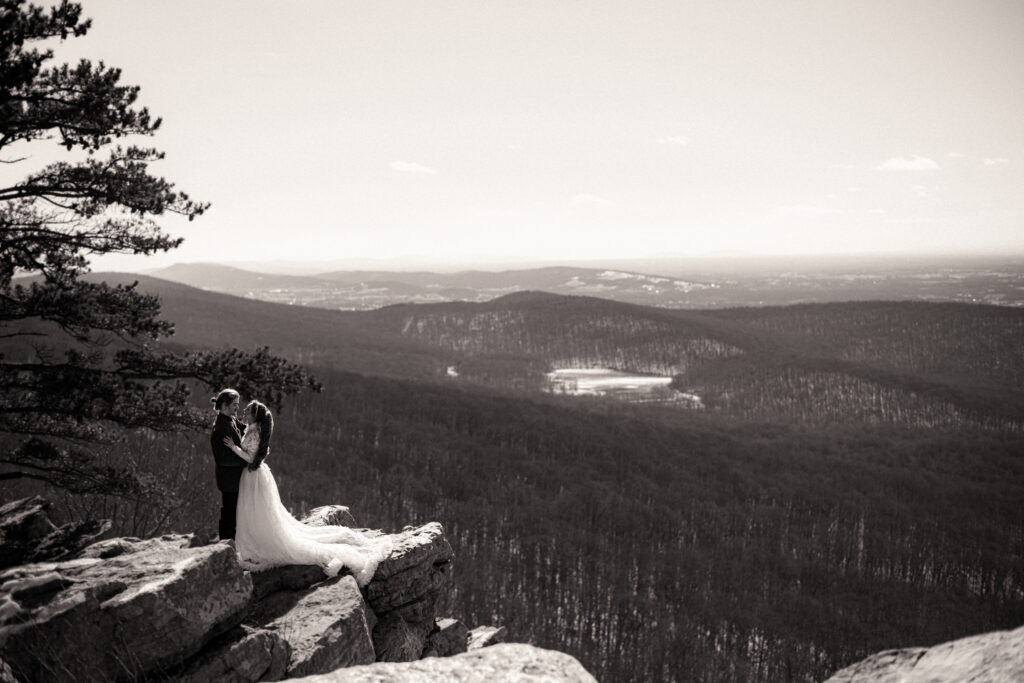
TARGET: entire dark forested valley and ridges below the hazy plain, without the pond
(778,535)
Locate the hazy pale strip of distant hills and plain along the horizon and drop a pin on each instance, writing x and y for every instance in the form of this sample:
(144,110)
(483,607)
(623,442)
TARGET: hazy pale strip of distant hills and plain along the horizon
(974,282)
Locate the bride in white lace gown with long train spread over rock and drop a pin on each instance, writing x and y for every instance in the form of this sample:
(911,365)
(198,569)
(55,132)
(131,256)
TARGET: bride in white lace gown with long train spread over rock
(269,536)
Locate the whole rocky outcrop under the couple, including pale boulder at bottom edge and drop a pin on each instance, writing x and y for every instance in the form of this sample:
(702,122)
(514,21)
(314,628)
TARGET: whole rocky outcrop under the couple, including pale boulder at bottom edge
(176,609)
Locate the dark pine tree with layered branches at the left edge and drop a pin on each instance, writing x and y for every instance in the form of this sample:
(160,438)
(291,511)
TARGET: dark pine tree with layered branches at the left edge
(81,363)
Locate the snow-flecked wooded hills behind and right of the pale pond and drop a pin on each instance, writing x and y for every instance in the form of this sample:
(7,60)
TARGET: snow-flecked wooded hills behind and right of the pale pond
(904,363)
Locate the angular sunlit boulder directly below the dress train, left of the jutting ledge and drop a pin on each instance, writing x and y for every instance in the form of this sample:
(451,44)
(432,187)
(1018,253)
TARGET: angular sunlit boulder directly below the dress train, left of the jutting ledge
(326,627)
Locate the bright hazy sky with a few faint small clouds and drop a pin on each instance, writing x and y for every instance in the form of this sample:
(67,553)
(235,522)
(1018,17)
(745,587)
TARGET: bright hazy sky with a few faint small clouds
(479,132)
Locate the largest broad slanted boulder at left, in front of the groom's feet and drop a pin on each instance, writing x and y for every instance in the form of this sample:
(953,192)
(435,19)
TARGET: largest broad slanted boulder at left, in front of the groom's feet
(127,617)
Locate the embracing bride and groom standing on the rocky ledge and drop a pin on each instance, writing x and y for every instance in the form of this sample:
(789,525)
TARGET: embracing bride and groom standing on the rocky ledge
(266,534)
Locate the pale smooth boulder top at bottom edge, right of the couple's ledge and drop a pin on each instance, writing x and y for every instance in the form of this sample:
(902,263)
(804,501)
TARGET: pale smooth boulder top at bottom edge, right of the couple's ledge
(502,663)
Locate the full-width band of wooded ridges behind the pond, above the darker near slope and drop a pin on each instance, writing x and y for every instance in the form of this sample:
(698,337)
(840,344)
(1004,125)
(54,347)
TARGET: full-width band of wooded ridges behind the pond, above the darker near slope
(913,363)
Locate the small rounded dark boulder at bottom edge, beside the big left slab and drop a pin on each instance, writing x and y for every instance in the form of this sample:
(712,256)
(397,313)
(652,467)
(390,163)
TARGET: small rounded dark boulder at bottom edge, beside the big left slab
(243,655)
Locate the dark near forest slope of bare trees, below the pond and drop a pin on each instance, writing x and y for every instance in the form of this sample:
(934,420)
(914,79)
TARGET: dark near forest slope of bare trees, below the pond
(665,546)
